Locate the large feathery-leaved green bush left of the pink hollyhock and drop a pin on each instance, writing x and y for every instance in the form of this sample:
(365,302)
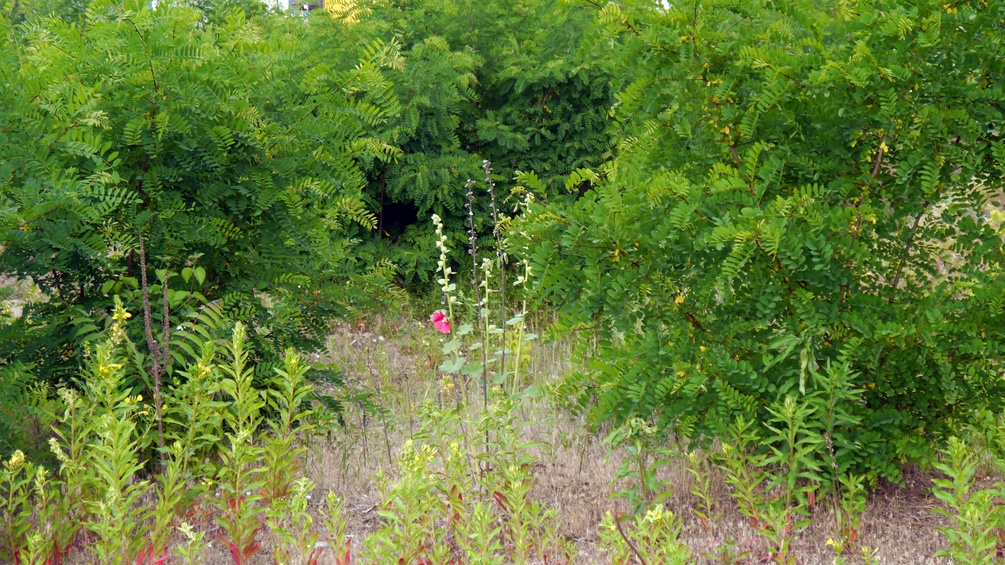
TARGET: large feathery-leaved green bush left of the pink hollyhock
(231,154)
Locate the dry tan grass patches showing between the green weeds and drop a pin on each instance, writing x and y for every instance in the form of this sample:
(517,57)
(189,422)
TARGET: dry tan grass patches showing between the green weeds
(397,357)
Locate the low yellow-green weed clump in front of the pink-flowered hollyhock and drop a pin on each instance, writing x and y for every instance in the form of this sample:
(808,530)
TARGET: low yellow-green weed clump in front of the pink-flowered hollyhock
(444,509)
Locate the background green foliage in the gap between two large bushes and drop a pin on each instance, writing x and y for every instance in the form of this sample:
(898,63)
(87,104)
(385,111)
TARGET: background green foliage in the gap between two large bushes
(482,81)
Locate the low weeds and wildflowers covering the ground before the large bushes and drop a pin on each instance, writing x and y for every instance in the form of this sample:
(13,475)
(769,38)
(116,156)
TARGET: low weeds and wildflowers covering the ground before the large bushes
(460,490)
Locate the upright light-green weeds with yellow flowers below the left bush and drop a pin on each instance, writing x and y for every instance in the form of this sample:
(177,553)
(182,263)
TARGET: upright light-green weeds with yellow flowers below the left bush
(100,485)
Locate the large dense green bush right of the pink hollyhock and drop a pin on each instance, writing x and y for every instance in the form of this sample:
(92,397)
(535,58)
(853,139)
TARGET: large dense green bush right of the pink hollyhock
(794,186)
